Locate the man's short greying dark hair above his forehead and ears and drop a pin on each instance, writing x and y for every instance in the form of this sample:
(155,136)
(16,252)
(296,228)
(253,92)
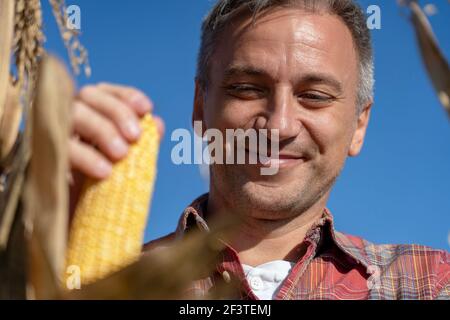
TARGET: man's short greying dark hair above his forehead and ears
(350,13)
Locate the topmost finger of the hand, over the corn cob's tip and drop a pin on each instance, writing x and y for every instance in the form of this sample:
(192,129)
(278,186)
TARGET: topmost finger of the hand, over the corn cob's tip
(135,98)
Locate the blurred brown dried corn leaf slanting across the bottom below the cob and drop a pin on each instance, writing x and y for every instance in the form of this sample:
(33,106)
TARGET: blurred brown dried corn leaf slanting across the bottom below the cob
(164,273)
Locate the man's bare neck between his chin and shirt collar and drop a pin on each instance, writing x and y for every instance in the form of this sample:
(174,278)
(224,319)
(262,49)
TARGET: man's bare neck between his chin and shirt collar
(258,241)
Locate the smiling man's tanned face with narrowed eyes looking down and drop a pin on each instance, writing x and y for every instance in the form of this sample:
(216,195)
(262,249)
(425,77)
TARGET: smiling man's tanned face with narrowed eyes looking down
(296,72)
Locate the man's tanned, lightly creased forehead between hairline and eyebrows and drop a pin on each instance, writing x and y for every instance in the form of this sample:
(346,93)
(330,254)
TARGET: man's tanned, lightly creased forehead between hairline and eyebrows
(290,38)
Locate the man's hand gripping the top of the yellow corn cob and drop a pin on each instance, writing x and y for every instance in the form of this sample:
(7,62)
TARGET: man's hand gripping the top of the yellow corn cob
(105,122)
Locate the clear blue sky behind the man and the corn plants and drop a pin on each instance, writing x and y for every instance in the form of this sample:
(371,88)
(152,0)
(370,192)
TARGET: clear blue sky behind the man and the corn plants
(396,191)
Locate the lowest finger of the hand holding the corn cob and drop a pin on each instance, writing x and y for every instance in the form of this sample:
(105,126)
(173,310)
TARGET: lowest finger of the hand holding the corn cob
(88,161)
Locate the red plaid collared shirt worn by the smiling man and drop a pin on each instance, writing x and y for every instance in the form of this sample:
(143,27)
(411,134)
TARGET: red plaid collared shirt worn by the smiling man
(335,266)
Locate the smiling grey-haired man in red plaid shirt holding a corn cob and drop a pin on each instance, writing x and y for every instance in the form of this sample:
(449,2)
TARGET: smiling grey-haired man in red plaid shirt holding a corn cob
(304,68)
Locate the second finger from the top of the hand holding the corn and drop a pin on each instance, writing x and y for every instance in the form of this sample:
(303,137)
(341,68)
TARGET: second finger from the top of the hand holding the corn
(112,108)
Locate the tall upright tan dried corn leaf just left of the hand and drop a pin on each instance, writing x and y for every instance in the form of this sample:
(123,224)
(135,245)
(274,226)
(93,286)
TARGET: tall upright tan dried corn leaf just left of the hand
(46,198)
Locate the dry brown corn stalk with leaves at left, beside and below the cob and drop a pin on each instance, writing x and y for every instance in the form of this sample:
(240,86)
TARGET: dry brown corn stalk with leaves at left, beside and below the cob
(34,178)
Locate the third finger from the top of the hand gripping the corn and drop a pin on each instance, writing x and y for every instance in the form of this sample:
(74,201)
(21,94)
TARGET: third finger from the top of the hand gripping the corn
(98,130)
